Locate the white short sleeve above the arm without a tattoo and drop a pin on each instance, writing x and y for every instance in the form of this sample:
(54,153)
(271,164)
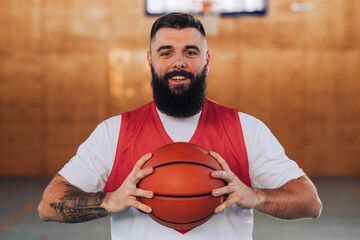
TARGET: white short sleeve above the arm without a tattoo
(269,167)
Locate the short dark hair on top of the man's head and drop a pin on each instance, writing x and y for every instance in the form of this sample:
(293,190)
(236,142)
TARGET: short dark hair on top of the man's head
(177,20)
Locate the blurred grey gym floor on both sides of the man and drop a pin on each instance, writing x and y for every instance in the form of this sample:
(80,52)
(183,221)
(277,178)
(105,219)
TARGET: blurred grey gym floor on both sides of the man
(340,218)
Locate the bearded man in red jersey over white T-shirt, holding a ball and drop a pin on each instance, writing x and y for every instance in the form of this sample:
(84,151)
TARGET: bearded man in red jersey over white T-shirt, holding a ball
(102,178)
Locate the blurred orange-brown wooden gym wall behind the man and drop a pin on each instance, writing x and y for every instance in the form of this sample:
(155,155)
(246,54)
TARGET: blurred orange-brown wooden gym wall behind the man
(67,65)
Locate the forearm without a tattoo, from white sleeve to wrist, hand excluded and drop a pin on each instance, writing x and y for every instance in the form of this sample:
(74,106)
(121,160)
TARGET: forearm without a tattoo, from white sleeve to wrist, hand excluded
(296,199)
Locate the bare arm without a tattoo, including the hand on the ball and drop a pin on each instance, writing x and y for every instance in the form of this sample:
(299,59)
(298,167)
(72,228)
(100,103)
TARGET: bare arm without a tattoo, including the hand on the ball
(296,199)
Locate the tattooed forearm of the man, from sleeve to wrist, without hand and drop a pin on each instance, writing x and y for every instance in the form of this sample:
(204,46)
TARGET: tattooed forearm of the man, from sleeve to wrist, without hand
(70,204)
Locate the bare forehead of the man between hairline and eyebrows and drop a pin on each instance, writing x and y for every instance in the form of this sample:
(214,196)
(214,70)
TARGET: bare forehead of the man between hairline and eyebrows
(178,38)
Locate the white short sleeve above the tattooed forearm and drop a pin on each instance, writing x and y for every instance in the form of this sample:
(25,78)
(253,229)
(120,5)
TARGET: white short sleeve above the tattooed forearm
(90,168)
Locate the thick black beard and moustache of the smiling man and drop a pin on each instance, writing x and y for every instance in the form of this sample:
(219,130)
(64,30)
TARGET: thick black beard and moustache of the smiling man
(181,102)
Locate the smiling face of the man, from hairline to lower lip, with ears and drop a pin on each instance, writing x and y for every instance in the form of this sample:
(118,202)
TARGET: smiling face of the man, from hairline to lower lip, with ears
(175,54)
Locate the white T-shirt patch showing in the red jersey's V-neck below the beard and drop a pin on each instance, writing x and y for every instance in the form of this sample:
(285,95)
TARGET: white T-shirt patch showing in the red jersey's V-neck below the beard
(179,129)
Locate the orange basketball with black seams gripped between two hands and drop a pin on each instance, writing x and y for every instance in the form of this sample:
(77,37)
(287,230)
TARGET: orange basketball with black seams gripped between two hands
(182,186)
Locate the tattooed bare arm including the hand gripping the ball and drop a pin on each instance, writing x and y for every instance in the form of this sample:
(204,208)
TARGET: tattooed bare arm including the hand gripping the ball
(64,202)
